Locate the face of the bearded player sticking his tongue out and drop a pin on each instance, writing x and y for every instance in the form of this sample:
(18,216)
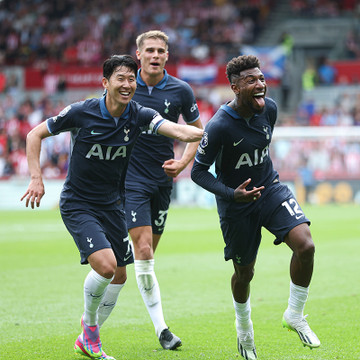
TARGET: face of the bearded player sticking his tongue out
(250,89)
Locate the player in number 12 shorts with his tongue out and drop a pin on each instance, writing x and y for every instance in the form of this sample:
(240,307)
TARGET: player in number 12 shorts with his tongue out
(250,196)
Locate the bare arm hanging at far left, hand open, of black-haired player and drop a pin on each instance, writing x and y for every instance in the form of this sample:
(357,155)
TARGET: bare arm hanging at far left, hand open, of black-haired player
(35,190)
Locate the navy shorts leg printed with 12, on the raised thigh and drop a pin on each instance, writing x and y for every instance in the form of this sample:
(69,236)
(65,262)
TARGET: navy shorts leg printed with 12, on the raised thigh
(281,212)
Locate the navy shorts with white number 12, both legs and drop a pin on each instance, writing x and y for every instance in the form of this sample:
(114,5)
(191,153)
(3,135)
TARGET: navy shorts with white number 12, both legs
(277,210)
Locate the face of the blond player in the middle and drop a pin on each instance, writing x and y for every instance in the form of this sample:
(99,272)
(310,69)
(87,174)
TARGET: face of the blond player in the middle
(153,55)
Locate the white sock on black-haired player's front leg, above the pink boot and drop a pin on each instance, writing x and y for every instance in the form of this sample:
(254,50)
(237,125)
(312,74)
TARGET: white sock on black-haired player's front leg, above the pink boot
(94,290)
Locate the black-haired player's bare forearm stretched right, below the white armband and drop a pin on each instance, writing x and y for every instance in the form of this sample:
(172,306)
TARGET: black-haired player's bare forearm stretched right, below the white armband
(180,132)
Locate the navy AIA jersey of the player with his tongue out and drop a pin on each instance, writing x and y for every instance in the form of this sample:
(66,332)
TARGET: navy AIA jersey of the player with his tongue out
(239,147)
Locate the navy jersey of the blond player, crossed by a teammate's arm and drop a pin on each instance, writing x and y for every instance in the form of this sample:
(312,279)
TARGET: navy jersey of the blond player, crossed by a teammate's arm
(171,97)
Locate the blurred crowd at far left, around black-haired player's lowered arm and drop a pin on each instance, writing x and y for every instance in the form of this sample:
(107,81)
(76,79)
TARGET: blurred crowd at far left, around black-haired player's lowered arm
(16,120)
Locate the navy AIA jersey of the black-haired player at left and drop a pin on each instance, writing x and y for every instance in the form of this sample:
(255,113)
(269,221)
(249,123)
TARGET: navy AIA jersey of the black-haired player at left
(100,148)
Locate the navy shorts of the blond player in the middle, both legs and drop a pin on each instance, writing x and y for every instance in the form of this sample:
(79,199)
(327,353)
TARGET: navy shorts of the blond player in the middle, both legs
(147,205)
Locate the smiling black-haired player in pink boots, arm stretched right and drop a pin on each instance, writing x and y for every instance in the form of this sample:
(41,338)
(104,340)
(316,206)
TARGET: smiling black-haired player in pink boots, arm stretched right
(103,132)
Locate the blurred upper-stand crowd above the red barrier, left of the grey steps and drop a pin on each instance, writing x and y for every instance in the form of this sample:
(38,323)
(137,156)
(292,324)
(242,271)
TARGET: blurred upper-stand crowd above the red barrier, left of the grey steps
(35,32)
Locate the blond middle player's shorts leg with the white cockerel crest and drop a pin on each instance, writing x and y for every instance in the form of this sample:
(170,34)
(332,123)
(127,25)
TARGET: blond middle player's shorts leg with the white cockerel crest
(138,207)
